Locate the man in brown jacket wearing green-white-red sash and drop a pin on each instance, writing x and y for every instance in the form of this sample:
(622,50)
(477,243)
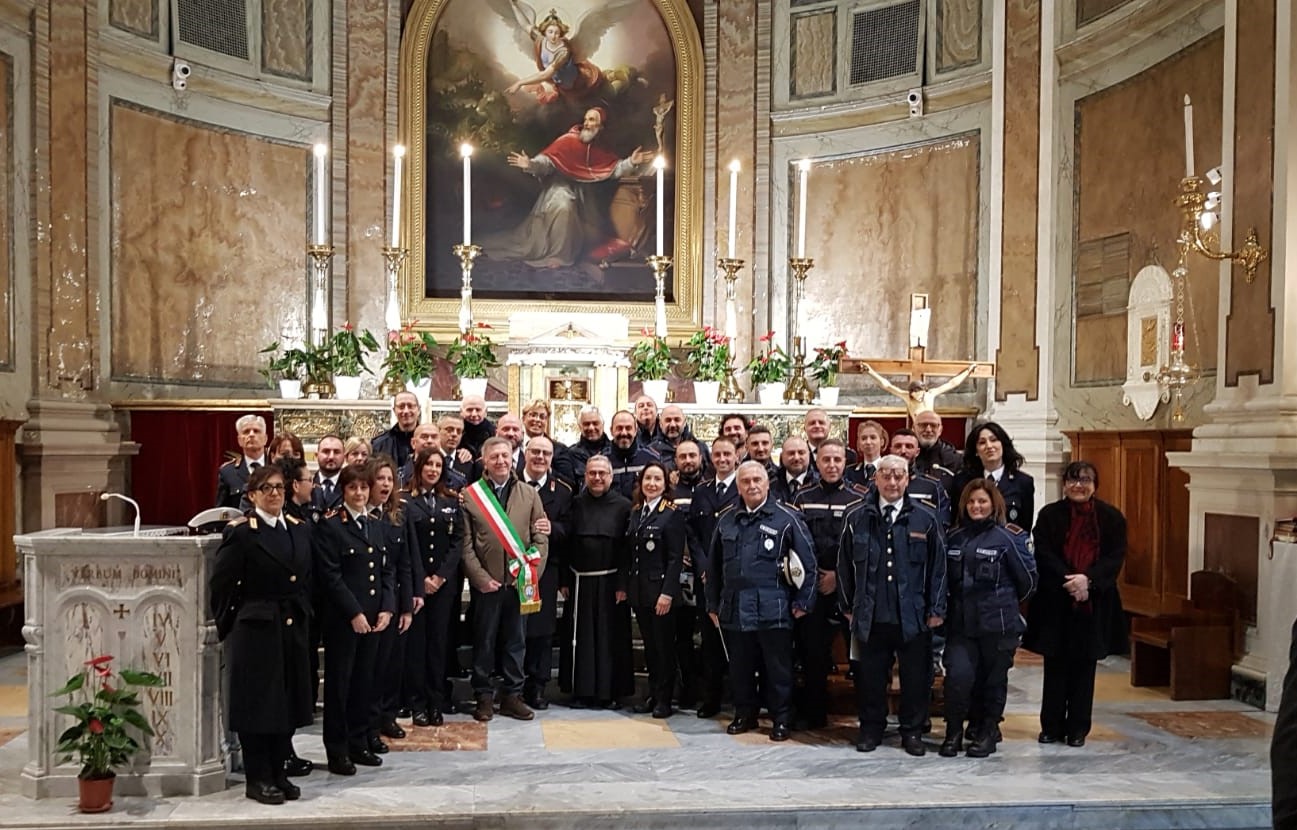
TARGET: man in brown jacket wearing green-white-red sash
(505,548)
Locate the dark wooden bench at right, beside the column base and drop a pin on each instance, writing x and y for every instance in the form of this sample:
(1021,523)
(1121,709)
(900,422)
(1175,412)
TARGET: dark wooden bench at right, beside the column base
(1194,652)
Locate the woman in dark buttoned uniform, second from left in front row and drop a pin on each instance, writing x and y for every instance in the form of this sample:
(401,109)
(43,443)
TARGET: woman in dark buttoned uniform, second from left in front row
(359,586)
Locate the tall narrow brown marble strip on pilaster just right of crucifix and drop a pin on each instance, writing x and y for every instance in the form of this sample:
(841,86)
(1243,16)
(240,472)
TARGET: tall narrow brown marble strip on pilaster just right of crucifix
(1017,359)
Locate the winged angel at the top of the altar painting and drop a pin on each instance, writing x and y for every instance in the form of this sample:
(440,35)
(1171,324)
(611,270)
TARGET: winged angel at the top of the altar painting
(560,50)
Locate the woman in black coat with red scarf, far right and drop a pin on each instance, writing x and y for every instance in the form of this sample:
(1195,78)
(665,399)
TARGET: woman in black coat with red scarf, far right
(1081,545)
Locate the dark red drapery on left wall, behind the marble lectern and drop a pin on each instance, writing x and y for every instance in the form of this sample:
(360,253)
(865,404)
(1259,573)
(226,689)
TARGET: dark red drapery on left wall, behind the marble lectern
(174,477)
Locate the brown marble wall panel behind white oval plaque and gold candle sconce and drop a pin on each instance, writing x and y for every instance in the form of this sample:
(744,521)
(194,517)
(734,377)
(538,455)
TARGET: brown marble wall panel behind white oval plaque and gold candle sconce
(1130,161)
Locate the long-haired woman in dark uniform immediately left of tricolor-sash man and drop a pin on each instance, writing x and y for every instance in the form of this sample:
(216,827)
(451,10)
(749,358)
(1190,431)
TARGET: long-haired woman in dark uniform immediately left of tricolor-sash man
(434,532)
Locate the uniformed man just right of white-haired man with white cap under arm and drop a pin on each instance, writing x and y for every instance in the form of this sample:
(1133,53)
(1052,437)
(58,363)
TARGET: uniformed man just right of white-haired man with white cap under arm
(824,508)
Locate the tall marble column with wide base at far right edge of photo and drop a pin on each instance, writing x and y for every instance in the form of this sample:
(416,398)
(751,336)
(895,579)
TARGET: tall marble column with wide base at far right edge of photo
(1244,458)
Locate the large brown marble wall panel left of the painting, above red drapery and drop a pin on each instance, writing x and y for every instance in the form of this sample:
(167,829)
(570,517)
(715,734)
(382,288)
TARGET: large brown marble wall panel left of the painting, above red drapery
(208,248)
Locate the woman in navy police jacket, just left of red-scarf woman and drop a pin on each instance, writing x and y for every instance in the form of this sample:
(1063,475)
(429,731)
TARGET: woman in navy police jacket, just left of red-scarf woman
(990,571)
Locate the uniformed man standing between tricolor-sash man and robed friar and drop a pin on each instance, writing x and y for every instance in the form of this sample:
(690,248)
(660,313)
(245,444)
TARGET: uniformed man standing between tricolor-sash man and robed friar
(557,500)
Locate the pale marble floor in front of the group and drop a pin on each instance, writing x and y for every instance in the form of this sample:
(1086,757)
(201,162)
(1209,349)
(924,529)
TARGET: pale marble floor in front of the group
(1150,763)
